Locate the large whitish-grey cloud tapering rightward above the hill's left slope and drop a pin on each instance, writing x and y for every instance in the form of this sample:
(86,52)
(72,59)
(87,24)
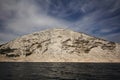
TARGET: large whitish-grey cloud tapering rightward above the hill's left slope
(30,15)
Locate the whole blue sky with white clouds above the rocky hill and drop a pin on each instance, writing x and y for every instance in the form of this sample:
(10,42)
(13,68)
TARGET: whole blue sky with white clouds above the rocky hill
(99,18)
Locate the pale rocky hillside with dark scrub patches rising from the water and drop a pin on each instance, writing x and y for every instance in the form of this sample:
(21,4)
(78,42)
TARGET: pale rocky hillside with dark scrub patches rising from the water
(60,45)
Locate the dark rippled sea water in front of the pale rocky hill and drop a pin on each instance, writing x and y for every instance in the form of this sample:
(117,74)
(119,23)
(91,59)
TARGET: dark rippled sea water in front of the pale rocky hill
(59,71)
